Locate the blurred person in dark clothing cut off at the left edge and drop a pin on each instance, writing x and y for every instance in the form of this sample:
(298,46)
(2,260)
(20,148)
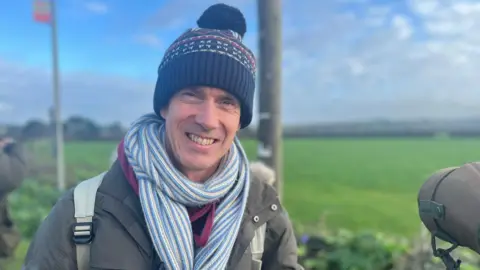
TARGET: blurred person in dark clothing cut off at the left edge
(12,173)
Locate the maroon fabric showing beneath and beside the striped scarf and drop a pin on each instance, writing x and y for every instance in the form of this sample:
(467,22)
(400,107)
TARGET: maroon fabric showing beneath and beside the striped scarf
(200,217)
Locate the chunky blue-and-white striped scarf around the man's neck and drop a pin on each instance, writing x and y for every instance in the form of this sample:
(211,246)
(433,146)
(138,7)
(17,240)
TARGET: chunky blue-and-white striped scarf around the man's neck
(165,193)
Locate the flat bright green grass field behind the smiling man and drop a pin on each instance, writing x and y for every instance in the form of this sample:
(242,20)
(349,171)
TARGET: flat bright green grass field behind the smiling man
(358,184)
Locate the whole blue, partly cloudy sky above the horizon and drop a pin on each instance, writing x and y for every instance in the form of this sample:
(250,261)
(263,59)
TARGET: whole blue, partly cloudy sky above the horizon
(342,59)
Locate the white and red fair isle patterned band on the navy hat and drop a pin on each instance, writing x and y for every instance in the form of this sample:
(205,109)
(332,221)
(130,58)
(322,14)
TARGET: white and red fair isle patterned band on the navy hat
(211,40)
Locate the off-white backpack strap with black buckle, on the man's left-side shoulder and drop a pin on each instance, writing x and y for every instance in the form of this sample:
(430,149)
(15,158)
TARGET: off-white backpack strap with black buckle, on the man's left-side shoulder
(84,199)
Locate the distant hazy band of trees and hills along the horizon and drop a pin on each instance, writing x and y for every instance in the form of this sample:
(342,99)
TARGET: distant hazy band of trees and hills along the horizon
(78,128)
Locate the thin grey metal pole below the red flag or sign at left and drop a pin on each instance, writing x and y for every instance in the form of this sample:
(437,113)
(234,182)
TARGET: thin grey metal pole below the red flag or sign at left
(57,102)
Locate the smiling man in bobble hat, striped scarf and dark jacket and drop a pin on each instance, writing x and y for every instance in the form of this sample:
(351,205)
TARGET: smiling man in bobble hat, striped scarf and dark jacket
(180,195)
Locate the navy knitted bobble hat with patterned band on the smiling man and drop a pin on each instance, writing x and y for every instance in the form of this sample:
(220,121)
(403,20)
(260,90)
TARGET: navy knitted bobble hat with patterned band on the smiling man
(211,55)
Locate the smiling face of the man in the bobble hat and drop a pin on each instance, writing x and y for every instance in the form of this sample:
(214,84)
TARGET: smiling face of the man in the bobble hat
(201,124)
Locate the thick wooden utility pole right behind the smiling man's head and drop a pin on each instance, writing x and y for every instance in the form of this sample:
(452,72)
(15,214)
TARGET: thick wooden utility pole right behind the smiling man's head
(270,148)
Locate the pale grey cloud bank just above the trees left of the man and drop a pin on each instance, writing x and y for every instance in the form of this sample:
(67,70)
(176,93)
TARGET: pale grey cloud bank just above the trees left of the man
(104,98)
